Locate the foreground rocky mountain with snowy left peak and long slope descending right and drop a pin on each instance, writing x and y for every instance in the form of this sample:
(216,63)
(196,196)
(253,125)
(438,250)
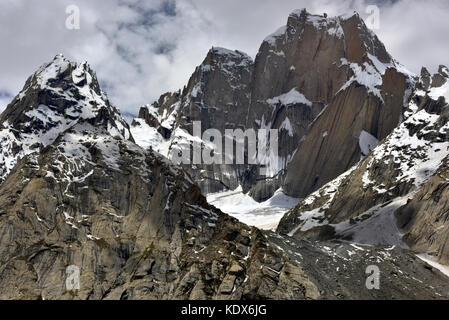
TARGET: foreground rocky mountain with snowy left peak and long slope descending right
(136,225)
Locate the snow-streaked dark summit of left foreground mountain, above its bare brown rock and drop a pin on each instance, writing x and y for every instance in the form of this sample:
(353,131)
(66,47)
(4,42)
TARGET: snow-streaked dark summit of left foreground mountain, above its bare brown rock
(56,97)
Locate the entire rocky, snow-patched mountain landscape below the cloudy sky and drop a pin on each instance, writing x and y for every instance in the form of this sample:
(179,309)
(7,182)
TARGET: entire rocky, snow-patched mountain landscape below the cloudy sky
(360,179)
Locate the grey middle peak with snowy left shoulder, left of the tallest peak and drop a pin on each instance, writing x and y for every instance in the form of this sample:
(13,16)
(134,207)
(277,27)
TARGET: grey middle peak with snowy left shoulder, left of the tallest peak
(216,94)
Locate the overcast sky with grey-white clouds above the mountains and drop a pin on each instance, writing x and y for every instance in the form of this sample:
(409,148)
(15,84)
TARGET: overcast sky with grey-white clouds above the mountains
(141,49)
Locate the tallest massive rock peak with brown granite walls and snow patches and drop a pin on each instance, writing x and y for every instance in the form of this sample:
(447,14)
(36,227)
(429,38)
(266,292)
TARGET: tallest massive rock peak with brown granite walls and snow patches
(346,74)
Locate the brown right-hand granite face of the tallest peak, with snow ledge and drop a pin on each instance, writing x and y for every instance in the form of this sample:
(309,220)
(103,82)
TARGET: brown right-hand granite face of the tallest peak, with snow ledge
(363,89)
